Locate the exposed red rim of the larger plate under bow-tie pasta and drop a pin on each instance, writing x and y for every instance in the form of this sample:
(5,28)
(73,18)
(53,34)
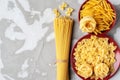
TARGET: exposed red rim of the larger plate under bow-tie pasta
(117,53)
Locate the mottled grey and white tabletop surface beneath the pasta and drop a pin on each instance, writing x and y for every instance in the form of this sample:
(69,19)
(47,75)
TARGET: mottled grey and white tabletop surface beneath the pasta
(27,45)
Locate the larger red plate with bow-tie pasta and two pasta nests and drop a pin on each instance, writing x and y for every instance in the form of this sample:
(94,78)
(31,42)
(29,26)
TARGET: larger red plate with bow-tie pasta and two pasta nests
(95,57)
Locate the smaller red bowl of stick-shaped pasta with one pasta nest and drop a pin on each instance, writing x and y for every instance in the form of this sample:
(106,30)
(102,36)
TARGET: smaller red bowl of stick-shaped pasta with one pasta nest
(96,16)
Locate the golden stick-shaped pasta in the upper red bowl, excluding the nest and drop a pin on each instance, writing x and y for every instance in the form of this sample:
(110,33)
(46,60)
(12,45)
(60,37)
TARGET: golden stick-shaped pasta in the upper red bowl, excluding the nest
(101,11)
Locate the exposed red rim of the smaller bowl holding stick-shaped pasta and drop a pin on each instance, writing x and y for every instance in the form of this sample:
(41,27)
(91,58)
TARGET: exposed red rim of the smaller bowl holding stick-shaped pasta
(111,26)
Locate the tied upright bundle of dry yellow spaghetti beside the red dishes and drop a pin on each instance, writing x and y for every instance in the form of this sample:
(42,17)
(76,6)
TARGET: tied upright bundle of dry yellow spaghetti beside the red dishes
(63,29)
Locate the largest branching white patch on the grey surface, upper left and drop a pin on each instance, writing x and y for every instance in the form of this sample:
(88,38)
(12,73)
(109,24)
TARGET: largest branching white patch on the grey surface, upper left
(31,34)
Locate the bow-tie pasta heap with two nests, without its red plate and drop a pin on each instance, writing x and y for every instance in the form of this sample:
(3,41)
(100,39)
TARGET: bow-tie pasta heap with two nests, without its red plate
(94,57)
